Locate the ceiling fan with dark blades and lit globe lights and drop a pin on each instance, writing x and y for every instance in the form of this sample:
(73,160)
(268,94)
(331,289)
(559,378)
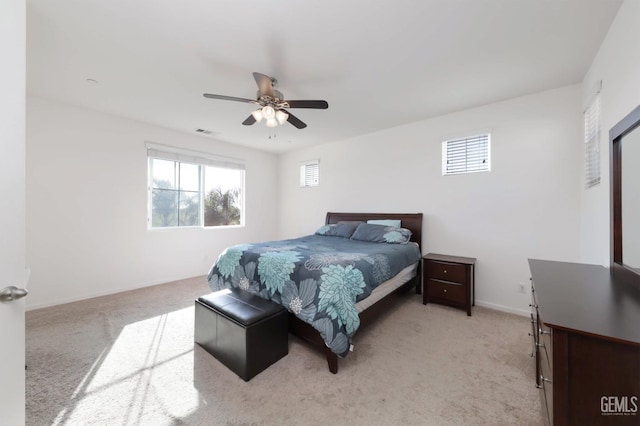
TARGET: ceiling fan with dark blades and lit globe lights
(272,104)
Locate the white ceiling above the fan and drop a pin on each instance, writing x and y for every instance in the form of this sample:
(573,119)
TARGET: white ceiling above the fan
(379,64)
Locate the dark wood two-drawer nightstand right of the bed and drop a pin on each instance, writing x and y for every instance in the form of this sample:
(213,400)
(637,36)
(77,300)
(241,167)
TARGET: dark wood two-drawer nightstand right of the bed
(448,280)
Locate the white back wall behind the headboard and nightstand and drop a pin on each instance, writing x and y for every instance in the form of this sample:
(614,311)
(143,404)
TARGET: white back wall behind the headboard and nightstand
(526,207)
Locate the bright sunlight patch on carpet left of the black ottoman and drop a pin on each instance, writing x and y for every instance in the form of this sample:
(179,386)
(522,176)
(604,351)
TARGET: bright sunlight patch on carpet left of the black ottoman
(146,366)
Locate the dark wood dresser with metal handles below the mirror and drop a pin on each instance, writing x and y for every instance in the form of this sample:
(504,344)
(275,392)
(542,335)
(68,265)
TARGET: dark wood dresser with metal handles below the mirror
(586,343)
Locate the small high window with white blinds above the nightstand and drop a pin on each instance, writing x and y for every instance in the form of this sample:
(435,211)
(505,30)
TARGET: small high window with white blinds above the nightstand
(466,155)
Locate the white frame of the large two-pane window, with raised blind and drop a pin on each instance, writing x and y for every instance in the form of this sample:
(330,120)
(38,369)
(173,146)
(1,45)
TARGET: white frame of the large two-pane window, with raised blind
(202,160)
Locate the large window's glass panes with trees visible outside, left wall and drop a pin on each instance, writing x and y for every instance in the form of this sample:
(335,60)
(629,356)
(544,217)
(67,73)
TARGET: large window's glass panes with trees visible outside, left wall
(187,194)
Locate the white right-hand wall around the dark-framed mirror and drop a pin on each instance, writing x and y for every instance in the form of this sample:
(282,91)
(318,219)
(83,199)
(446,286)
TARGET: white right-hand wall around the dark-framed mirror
(617,65)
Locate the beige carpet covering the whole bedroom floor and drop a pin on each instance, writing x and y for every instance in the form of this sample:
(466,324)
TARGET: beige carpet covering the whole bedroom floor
(129,359)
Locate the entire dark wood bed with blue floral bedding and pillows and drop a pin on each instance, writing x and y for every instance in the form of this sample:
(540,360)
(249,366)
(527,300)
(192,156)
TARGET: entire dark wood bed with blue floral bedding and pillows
(333,282)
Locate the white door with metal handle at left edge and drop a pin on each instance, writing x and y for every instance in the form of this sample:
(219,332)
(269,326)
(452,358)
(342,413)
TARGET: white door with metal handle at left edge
(12,207)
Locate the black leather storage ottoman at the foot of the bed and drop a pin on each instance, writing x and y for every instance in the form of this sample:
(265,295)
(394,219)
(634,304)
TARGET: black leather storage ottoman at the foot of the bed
(243,331)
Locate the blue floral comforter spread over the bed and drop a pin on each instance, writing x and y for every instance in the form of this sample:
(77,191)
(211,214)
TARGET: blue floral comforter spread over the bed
(318,278)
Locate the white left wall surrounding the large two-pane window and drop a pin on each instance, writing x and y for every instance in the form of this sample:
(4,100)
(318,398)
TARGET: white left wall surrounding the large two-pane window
(87,206)
